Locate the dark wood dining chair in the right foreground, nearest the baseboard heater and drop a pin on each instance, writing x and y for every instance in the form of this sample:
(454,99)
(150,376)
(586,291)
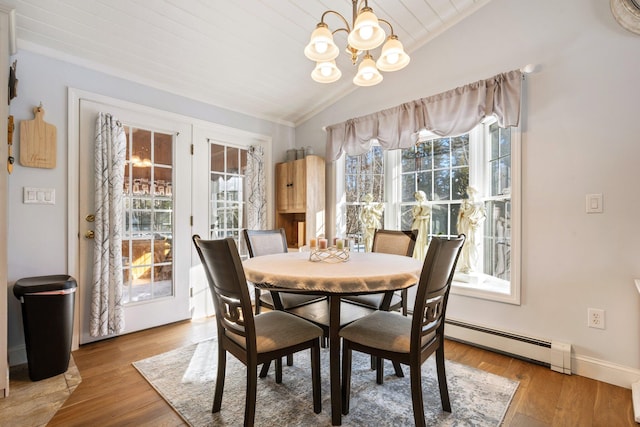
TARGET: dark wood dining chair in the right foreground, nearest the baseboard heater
(409,340)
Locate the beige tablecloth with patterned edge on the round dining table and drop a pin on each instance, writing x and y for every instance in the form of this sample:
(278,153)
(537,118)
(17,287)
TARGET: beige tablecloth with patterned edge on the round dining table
(363,272)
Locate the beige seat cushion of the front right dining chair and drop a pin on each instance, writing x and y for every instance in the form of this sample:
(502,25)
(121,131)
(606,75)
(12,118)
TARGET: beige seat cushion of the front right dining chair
(383,330)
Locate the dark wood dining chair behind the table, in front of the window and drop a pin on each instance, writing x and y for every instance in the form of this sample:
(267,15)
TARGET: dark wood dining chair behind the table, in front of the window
(397,242)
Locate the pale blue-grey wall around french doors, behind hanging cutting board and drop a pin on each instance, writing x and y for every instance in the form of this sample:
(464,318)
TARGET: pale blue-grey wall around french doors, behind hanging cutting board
(37,235)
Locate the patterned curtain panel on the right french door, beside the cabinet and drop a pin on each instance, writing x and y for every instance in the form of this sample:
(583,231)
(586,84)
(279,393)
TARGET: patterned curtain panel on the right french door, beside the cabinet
(256,190)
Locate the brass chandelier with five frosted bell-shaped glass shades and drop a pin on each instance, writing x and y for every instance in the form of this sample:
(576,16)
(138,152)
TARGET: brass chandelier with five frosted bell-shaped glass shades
(364,35)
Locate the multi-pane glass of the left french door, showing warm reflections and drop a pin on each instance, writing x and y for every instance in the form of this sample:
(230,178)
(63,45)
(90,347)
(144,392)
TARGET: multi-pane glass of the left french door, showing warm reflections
(148,216)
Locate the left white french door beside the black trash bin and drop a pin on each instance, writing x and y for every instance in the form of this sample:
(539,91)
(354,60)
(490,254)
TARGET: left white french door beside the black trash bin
(156,244)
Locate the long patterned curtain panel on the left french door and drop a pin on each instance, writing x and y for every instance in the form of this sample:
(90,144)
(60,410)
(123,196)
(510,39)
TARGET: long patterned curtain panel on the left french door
(107,311)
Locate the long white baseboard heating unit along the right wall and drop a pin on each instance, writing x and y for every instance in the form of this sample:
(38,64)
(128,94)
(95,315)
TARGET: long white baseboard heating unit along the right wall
(553,354)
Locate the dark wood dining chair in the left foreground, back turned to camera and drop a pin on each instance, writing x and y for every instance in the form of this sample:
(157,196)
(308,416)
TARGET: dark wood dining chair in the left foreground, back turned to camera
(252,339)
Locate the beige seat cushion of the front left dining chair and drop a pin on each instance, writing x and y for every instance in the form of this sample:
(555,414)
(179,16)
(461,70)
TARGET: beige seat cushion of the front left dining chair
(277,329)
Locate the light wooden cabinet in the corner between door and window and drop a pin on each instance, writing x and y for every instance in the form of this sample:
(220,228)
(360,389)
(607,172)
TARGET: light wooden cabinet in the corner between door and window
(300,199)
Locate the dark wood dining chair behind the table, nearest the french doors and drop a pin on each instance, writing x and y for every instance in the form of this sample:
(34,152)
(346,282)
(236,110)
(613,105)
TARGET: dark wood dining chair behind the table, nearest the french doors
(267,242)
